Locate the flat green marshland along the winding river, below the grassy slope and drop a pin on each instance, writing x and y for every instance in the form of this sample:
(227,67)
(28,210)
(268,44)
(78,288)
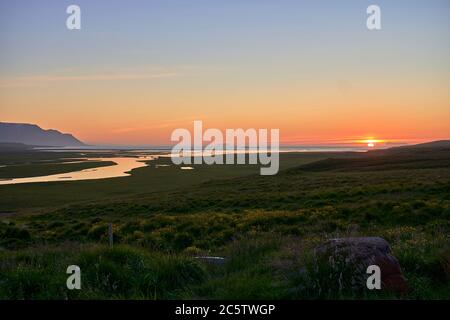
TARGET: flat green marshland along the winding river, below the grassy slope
(38,197)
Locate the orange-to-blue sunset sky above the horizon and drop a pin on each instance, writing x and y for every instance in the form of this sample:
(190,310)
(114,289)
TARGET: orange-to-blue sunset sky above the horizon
(139,69)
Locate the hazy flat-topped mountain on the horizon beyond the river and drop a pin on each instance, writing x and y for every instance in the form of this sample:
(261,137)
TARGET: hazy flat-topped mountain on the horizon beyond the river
(33,135)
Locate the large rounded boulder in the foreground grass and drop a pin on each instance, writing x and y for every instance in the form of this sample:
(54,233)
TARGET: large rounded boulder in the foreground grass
(350,257)
